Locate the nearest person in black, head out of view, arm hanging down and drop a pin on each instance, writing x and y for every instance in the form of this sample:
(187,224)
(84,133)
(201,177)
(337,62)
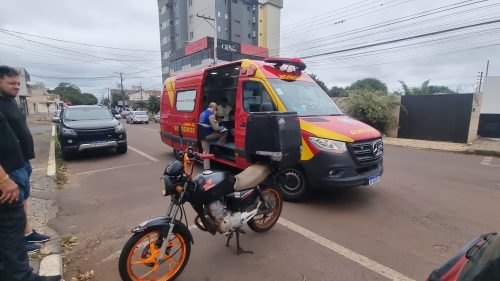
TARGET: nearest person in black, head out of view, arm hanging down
(14,263)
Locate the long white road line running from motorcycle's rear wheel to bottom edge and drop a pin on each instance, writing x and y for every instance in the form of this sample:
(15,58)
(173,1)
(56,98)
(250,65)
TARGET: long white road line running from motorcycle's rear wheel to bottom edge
(362,260)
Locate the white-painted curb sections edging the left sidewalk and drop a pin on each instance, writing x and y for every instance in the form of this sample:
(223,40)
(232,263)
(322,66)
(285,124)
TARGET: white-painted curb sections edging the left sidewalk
(51,264)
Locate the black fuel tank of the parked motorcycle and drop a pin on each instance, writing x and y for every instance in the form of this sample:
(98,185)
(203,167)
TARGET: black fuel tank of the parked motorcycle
(211,186)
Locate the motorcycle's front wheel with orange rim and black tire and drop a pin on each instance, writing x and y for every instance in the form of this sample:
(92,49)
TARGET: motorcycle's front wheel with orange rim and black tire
(139,257)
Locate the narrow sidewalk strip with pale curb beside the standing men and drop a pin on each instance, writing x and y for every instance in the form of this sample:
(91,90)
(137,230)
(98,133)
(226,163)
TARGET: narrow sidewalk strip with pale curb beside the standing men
(41,203)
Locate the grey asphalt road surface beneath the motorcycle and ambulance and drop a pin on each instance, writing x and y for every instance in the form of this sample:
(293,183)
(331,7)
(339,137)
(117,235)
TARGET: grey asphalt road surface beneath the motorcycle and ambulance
(427,206)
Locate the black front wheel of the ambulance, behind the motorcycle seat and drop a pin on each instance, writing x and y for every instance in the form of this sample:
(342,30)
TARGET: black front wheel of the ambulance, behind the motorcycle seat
(295,187)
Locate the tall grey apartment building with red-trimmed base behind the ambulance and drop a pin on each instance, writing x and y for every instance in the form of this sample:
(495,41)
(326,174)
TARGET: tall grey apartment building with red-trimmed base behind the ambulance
(190,28)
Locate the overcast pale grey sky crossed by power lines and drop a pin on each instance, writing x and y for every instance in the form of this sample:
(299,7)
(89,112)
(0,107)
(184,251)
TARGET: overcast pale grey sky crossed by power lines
(308,29)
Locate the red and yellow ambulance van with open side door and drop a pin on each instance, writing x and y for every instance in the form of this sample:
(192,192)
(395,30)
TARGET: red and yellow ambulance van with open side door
(337,150)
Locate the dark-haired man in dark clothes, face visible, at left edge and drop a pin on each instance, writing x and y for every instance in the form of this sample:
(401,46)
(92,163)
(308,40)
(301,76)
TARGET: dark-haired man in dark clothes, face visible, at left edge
(9,89)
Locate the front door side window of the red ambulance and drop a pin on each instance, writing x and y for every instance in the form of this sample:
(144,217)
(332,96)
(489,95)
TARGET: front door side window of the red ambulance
(256,98)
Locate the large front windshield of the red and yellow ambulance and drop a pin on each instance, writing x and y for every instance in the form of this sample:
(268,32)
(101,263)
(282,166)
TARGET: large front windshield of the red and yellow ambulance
(305,98)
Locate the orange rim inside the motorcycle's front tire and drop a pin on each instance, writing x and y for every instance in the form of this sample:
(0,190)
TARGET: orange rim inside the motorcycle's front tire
(142,261)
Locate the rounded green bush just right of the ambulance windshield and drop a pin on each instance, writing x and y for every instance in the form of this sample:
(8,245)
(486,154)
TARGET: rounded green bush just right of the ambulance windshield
(372,107)
